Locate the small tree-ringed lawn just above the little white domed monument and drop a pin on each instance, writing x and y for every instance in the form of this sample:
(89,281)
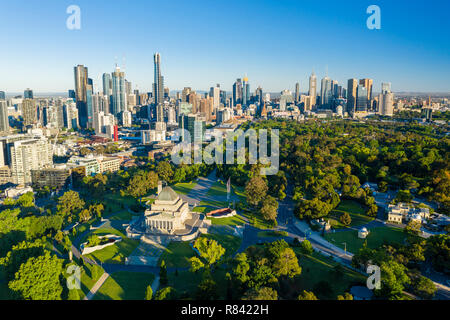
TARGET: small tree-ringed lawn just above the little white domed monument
(354,209)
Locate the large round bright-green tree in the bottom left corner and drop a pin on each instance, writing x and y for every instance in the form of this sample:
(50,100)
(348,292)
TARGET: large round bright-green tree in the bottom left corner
(39,278)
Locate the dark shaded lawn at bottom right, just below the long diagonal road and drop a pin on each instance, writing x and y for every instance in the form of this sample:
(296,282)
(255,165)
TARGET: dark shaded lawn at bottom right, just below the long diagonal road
(318,268)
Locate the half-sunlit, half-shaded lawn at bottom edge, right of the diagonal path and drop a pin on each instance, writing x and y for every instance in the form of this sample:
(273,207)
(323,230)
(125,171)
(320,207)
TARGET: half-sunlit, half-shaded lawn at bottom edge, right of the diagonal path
(125,286)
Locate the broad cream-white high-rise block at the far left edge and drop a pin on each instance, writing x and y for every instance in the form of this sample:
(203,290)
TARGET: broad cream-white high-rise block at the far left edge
(23,153)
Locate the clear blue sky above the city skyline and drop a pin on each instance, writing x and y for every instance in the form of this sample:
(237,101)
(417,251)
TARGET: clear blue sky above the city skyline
(276,43)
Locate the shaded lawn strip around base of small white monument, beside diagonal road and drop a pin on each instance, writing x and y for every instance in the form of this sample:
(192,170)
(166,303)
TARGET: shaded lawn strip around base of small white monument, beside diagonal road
(376,238)
